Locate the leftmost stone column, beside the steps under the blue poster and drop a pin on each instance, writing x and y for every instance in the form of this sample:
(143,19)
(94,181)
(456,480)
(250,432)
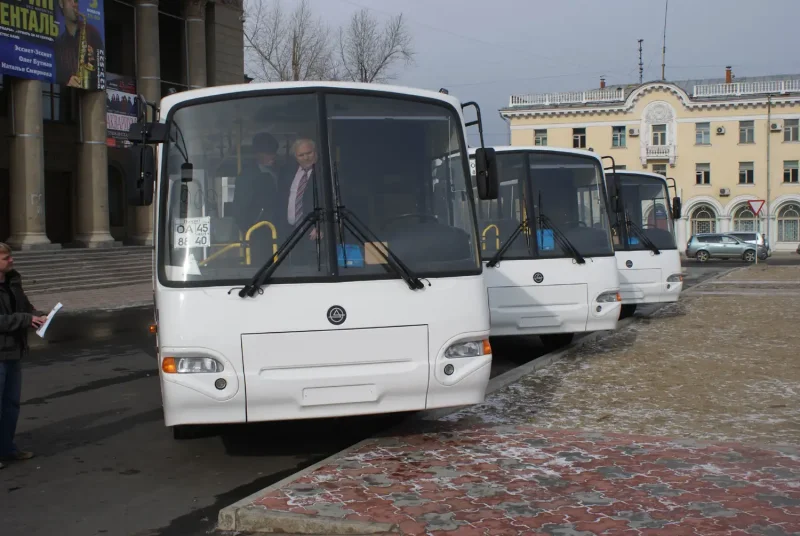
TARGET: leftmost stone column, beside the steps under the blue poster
(27,168)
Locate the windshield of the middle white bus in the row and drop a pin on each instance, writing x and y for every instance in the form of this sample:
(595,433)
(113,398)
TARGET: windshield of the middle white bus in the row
(557,198)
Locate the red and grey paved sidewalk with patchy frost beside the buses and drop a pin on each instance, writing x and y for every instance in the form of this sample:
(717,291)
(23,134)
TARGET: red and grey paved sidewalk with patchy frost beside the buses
(685,422)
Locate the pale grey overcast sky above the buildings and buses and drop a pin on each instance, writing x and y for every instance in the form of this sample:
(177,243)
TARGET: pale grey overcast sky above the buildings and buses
(487,50)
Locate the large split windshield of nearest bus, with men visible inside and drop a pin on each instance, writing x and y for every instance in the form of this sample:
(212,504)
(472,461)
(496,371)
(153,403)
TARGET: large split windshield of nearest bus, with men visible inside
(262,164)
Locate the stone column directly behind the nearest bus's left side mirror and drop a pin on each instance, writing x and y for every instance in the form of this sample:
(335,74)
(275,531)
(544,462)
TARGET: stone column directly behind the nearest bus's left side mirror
(148,83)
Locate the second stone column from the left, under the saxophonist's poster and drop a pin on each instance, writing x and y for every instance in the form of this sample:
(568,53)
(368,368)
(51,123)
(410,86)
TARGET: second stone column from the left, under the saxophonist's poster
(92,220)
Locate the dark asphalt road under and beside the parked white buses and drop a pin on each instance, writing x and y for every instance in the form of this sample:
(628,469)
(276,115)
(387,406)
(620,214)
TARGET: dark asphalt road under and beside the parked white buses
(106,465)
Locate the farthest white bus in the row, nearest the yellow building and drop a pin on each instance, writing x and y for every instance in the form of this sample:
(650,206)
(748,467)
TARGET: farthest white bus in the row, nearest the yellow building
(644,238)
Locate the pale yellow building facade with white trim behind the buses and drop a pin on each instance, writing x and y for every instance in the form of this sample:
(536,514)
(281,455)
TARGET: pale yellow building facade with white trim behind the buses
(724,142)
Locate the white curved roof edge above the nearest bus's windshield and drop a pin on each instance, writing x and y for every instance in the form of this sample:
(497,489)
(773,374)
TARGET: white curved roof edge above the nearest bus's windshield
(176,98)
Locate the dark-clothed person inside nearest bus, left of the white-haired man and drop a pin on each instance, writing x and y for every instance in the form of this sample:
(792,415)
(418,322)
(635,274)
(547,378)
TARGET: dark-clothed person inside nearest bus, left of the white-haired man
(256,196)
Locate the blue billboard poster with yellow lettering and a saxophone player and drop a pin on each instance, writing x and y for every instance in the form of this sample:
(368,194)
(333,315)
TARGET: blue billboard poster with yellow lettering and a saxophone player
(54,41)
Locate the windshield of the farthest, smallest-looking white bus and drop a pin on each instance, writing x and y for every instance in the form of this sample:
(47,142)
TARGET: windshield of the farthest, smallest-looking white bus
(644,212)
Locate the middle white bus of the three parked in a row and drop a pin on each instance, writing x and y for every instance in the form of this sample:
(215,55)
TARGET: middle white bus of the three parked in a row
(546,242)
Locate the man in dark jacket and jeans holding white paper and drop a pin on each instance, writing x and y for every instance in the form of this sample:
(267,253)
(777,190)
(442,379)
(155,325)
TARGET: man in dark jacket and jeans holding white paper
(17,316)
